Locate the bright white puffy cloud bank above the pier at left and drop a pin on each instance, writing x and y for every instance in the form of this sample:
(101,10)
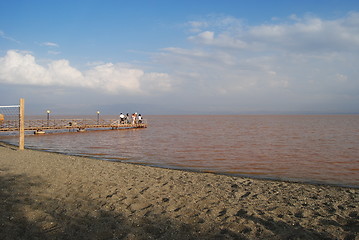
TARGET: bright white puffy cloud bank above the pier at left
(21,68)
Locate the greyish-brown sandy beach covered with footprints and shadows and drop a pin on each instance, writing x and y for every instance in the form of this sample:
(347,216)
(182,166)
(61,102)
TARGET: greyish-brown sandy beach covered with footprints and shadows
(52,196)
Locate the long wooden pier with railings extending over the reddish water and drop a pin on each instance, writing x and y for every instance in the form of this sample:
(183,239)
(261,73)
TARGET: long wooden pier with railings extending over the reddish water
(41,126)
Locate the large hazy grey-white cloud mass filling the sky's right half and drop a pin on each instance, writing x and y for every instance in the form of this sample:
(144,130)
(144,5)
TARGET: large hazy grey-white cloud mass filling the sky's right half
(296,58)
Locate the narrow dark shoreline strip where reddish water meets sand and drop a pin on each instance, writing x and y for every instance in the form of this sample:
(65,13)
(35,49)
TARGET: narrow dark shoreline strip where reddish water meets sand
(276,179)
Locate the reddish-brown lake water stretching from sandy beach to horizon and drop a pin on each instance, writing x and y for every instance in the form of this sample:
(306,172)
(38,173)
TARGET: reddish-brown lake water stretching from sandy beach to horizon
(317,149)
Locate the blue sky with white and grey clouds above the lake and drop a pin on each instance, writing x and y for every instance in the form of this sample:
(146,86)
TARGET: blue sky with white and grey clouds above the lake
(180,57)
